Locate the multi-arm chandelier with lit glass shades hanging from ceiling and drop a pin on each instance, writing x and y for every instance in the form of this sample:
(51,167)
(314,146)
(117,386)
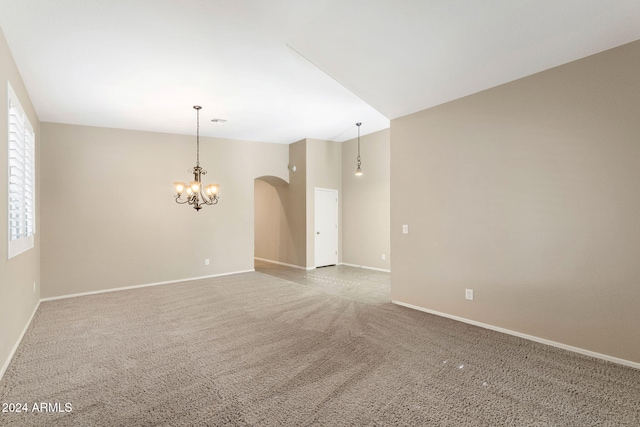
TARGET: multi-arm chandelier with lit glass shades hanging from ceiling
(197,195)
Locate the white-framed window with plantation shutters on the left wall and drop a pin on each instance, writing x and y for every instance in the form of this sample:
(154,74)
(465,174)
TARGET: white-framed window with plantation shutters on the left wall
(21,178)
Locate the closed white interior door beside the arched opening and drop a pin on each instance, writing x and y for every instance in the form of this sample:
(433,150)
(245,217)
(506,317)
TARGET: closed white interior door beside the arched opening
(326,222)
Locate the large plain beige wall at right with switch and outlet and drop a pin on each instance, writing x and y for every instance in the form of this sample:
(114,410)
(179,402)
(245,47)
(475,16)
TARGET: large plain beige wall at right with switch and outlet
(529,194)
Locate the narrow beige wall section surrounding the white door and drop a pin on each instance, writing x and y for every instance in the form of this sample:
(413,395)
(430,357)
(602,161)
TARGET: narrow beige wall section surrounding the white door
(324,170)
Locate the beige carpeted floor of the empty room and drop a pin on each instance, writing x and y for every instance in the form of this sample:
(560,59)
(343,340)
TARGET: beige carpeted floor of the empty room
(288,347)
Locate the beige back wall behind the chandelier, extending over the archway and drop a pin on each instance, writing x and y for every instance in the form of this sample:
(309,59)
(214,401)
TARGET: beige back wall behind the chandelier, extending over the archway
(110,219)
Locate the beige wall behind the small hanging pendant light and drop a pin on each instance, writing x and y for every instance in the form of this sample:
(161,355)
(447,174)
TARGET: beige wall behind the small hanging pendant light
(366,210)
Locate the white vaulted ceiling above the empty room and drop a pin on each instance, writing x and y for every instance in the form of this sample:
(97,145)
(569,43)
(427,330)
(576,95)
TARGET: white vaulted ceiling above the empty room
(283,70)
